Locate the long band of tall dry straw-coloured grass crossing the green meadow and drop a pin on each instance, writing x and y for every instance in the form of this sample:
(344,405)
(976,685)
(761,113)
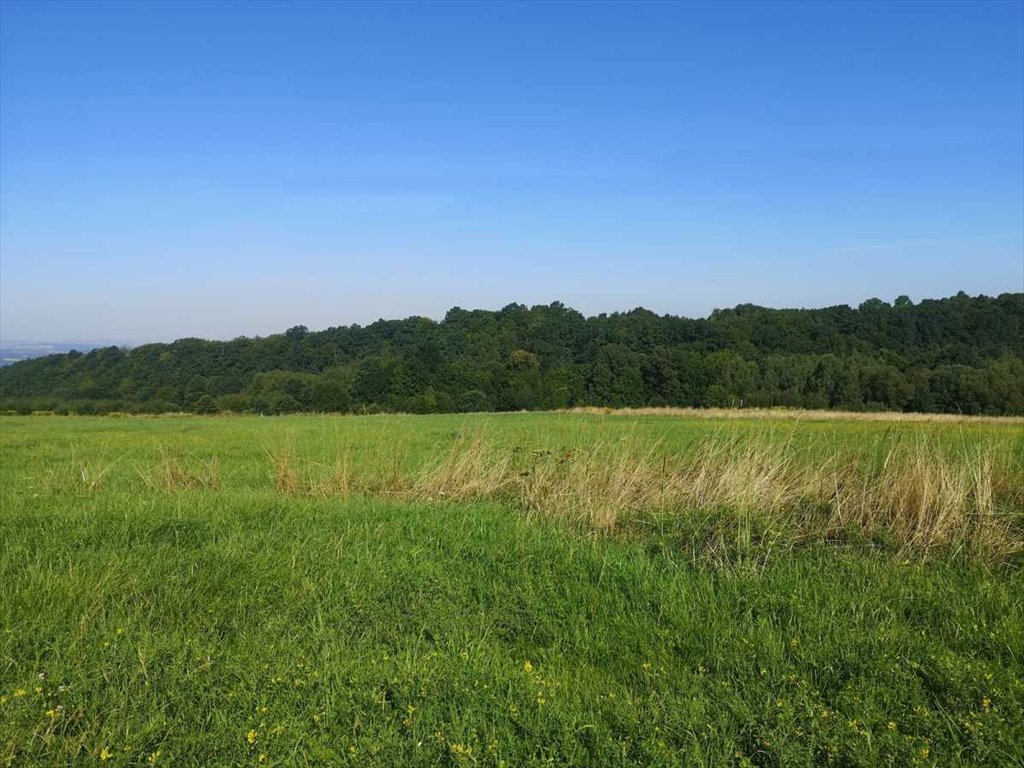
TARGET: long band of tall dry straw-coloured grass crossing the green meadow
(730,489)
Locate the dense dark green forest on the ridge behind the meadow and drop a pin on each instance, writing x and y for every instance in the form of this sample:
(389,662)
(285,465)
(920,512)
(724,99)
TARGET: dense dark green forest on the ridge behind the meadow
(961,355)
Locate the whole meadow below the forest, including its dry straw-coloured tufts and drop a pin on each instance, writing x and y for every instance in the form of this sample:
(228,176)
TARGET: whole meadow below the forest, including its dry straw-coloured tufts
(528,589)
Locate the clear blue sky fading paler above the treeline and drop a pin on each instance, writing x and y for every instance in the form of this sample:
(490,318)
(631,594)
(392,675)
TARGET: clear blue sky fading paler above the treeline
(215,170)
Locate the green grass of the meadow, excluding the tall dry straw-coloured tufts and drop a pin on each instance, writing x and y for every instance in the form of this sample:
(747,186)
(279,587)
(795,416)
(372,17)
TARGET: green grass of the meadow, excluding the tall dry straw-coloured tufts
(364,632)
